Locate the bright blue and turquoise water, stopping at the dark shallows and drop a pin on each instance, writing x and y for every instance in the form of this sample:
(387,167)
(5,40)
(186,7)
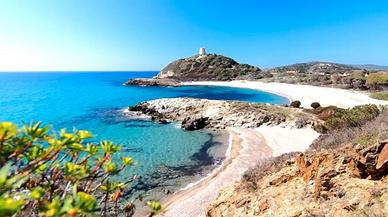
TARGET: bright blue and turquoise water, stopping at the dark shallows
(93,101)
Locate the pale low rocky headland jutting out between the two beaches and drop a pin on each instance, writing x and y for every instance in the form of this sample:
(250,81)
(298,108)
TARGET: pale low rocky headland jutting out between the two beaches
(202,113)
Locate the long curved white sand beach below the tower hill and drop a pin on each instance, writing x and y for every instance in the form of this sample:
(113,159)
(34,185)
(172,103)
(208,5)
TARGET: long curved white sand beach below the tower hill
(305,93)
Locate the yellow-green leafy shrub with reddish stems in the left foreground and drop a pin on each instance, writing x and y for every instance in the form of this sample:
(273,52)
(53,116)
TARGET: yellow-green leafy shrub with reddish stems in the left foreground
(38,169)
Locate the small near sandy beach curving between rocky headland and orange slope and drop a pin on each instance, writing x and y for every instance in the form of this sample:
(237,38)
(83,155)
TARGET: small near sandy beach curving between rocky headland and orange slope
(248,148)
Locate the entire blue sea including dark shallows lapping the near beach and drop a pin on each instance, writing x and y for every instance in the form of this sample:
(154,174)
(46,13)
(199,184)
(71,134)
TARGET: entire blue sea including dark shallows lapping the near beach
(96,101)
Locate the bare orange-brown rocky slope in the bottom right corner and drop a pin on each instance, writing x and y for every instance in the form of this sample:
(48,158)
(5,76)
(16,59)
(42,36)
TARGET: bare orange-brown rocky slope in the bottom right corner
(348,181)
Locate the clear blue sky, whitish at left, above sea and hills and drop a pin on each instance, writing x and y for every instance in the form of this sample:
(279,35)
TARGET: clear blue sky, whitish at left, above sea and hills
(83,35)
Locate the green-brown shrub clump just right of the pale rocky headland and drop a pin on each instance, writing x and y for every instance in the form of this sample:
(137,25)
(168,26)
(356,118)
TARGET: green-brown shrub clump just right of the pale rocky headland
(353,117)
